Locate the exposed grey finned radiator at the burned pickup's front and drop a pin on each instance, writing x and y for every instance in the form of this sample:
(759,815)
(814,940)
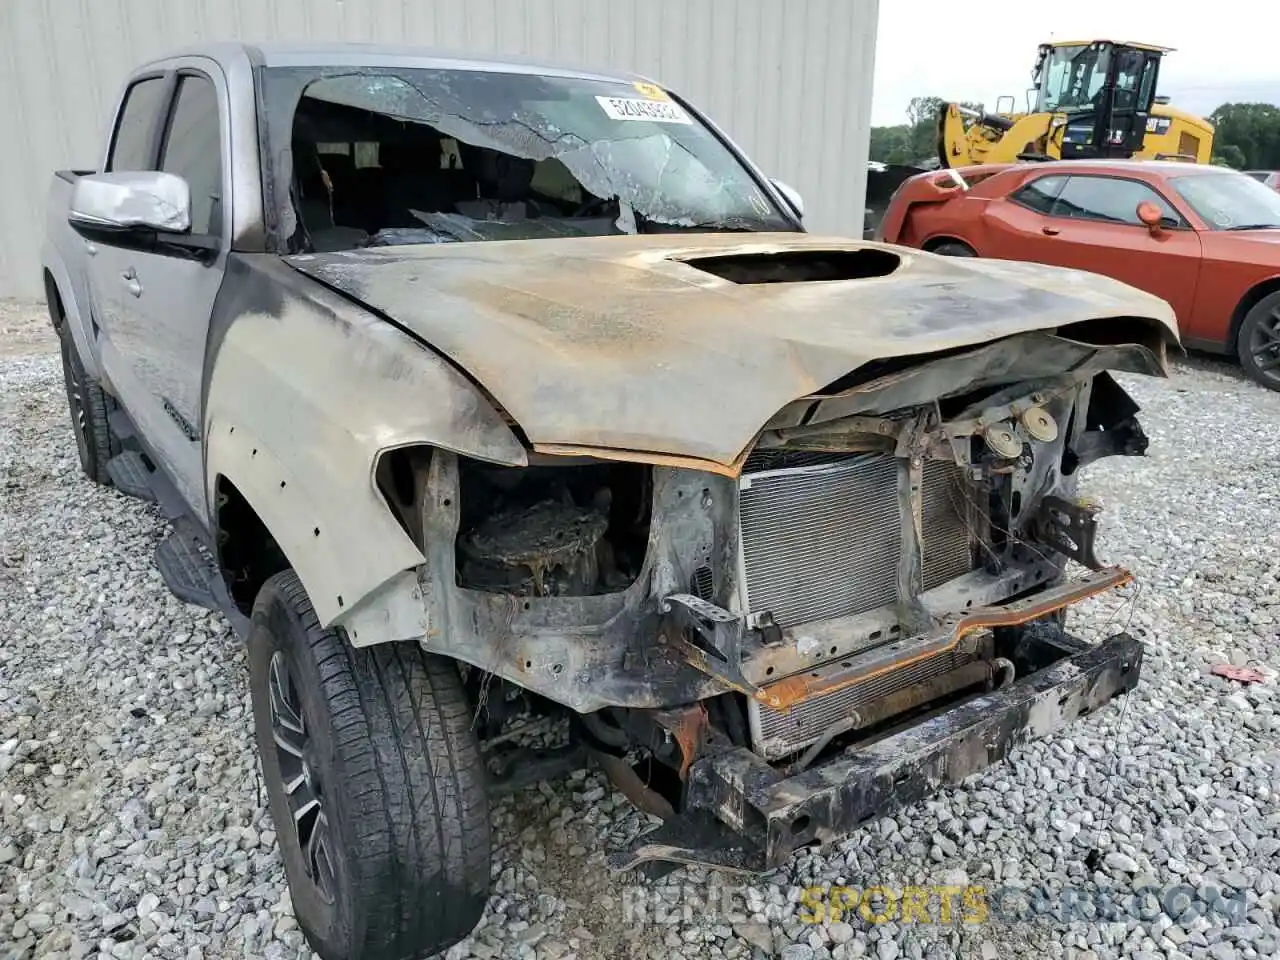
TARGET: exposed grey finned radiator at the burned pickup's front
(836,536)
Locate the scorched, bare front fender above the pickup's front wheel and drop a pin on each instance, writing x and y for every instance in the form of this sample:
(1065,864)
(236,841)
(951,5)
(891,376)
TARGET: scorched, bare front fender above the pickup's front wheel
(305,391)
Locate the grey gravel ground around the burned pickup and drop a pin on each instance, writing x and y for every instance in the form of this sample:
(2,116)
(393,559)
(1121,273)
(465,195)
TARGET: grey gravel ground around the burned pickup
(132,822)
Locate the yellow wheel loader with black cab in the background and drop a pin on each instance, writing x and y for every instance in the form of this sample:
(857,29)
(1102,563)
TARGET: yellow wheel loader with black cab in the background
(1092,99)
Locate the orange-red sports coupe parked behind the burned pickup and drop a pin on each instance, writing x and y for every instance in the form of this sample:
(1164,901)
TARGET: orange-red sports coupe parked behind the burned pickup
(1205,239)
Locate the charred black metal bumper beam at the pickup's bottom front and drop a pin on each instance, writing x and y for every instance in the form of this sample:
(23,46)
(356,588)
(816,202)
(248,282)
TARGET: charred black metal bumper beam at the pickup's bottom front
(743,815)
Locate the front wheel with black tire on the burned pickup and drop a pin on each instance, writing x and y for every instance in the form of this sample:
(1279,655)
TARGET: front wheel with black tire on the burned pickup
(392,862)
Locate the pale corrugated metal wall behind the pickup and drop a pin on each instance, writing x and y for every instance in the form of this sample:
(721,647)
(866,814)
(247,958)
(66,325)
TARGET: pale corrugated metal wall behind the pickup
(789,80)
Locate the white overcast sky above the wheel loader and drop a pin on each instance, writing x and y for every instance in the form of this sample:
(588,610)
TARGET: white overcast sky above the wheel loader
(1226,51)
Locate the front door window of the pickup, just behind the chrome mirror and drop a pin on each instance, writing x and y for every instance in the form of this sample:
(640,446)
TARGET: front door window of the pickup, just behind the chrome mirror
(194,152)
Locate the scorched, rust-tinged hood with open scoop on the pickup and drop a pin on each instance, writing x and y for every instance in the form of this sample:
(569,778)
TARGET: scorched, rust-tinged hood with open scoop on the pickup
(687,346)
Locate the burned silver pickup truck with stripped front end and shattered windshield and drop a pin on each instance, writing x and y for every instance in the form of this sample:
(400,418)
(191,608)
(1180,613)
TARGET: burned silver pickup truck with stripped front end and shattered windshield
(492,395)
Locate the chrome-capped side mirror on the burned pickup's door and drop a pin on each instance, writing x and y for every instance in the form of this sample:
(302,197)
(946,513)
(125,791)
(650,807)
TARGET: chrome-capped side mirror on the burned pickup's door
(130,202)
